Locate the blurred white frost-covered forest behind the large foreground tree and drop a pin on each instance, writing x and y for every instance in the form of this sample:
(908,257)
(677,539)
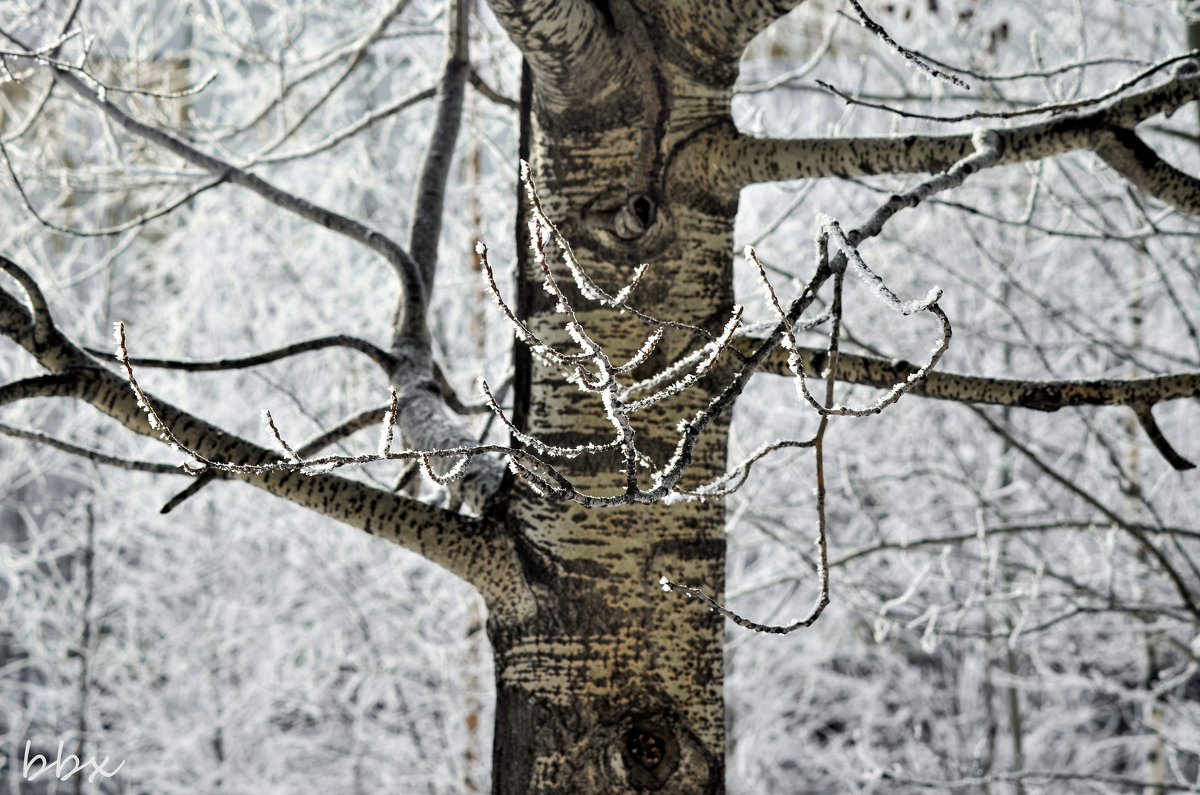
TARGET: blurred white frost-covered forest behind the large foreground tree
(992,611)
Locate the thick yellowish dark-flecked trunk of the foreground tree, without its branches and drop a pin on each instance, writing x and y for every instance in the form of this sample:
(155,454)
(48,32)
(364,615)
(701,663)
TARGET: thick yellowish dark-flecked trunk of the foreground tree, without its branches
(604,683)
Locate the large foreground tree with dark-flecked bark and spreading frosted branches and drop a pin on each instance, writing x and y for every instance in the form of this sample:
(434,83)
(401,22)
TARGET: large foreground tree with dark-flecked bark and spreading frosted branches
(625,378)
